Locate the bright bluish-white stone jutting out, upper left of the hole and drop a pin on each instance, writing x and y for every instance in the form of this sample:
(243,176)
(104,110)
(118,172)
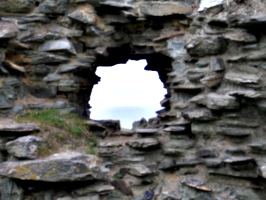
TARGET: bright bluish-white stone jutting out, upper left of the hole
(58,45)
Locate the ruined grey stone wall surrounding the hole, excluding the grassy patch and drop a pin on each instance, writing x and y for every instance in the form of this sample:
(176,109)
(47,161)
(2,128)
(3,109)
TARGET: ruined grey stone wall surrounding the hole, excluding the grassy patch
(207,143)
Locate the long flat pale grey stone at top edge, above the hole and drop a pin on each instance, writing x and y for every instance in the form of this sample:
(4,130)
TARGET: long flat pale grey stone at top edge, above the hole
(156,8)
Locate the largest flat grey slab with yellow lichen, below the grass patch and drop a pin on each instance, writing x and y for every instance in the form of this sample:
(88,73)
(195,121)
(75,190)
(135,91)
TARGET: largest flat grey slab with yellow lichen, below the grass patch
(56,168)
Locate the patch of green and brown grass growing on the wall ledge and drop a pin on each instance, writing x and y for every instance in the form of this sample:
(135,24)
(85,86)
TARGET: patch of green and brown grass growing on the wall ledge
(62,131)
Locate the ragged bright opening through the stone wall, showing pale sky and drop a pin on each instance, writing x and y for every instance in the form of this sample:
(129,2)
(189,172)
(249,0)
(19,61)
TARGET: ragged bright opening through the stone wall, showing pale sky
(127,93)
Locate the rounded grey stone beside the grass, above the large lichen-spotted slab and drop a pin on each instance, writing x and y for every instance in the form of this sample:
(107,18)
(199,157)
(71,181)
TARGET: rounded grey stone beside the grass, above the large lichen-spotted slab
(25,147)
